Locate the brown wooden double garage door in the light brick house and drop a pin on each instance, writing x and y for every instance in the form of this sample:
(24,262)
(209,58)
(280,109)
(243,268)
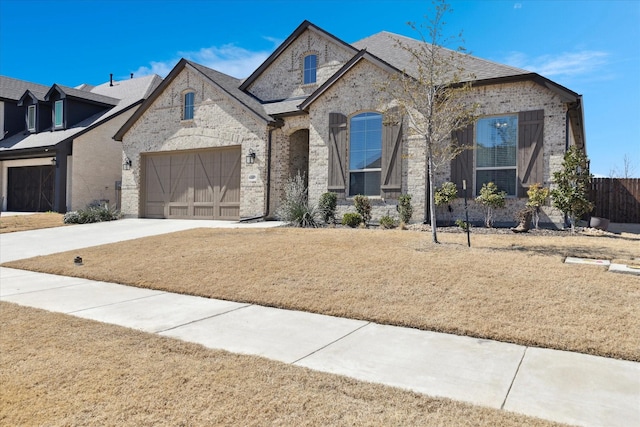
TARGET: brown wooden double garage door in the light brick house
(194,185)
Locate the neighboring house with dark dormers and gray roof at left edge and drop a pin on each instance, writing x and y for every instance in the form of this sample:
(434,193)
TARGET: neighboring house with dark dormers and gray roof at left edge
(58,153)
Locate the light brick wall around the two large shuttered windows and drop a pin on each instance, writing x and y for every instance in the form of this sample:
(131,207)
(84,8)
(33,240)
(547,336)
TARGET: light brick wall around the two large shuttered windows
(356,93)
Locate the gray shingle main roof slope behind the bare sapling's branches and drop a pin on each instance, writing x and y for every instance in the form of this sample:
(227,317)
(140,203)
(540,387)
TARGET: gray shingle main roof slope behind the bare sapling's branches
(385,45)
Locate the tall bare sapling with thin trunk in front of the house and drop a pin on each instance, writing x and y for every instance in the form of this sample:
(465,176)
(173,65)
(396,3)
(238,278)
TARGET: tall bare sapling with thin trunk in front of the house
(432,94)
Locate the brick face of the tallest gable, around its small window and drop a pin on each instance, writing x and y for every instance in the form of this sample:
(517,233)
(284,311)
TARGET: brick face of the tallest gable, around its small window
(283,78)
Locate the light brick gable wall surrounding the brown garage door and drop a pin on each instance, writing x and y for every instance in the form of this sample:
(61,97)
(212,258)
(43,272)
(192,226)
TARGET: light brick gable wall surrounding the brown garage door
(218,122)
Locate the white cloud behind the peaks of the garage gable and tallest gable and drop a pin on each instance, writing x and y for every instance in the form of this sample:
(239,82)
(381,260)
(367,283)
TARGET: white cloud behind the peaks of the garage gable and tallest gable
(229,59)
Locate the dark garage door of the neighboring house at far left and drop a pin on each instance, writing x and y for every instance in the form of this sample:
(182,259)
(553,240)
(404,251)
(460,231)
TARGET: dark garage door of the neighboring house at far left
(30,188)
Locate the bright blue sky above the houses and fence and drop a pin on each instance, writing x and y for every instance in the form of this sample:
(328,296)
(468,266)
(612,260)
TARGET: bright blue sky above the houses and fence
(589,46)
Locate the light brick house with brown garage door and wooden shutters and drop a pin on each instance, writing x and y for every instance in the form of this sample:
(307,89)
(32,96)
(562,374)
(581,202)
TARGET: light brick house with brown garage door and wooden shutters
(207,145)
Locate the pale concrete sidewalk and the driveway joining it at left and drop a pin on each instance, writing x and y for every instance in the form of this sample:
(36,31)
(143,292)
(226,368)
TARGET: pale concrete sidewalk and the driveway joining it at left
(560,386)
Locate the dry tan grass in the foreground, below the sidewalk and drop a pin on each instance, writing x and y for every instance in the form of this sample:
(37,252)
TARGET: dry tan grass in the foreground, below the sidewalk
(60,370)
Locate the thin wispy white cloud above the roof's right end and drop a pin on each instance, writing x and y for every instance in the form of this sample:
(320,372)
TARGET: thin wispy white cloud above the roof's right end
(568,64)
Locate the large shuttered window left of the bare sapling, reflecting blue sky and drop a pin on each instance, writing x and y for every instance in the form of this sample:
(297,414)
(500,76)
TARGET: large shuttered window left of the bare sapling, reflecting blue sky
(365,154)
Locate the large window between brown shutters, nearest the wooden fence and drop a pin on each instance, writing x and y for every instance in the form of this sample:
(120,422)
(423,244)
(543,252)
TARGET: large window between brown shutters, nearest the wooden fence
(496,153)
